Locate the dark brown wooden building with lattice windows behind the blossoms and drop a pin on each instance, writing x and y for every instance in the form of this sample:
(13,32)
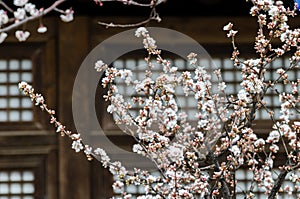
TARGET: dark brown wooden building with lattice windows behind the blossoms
(35,162)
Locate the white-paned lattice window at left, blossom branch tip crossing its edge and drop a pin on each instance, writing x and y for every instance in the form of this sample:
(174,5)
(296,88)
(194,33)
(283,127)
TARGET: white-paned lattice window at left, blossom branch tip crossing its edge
(15,107)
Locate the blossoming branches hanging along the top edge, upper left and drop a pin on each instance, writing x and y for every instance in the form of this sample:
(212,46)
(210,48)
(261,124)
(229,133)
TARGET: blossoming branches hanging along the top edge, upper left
(22,11)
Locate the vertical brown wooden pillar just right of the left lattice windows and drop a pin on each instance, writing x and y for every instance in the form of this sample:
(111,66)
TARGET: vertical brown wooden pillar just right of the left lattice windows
(74,169)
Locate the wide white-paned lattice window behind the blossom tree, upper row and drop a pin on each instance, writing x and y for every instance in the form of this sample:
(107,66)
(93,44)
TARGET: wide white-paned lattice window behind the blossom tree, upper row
(230,74)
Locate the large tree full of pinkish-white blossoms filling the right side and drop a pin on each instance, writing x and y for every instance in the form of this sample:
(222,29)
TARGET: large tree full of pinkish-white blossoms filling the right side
(200,161)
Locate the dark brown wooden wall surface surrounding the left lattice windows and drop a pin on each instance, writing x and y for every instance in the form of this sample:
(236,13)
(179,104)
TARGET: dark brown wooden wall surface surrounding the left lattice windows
(68,175)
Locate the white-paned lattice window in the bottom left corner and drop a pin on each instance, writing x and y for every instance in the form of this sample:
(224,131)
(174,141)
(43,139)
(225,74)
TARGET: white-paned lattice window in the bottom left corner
(17,184)
